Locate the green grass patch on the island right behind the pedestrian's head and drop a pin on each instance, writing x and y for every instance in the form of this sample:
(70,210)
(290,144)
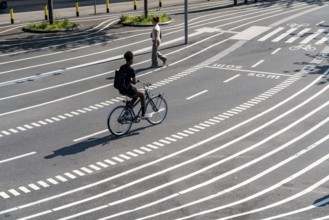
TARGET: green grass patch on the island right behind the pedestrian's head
(140,19)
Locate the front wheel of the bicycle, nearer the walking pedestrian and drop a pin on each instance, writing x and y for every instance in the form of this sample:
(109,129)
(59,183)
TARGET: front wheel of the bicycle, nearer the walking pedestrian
(157,108)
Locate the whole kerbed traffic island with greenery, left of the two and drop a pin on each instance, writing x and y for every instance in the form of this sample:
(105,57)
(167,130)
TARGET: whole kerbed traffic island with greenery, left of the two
(58,26)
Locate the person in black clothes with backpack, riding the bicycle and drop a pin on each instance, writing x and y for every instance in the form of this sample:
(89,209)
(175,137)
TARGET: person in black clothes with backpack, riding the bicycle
(129,77)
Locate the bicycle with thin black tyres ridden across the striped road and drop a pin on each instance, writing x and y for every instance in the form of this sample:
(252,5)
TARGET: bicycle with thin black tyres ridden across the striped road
(121,118)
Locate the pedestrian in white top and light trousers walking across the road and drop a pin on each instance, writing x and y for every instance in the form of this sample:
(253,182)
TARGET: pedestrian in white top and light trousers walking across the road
(156,40)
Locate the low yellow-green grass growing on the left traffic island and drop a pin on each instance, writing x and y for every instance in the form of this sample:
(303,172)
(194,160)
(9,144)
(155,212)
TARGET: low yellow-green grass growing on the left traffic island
(58,25)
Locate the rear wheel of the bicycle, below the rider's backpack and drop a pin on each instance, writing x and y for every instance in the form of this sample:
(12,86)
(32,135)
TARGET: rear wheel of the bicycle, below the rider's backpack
(119,120)
